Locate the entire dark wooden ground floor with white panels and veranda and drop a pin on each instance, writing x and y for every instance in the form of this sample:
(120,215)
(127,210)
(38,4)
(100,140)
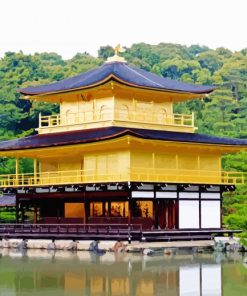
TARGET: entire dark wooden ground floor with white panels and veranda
(149,210)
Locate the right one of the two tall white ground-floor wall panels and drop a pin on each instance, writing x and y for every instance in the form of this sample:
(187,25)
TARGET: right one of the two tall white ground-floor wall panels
(210,214)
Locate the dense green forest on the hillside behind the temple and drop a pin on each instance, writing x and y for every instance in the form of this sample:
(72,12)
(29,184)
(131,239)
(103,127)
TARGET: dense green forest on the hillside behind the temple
(223,113)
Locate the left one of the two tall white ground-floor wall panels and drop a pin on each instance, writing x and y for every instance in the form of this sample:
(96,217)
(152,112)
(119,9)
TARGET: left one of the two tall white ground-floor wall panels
(188,214)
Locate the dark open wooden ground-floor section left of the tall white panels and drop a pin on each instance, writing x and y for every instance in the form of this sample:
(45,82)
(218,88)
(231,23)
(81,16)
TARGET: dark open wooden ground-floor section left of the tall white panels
(97,208)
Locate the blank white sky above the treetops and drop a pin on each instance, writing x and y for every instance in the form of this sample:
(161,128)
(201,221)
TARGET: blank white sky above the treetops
(71,26)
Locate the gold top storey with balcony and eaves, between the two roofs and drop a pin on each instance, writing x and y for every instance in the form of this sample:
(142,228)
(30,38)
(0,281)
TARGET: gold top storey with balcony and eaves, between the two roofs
(116,104)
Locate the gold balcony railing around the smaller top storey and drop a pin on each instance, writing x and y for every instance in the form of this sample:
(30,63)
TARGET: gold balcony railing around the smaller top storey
(143,117)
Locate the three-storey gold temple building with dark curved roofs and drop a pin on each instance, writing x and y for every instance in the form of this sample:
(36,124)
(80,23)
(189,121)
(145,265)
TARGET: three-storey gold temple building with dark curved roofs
(118,154)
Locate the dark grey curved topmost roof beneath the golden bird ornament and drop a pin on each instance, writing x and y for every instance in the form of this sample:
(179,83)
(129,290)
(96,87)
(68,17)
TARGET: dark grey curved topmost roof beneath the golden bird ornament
(119,71)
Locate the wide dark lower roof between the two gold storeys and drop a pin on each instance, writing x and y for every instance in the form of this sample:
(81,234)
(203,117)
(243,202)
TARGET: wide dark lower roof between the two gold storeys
(100,134)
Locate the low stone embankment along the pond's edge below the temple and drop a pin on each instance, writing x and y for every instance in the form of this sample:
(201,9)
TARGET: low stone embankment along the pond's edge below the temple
(220,244)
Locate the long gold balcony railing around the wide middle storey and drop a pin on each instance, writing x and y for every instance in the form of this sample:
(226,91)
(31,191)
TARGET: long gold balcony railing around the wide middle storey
(134,174)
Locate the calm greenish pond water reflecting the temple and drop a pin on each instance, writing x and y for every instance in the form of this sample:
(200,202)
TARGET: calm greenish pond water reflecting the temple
(66,273)
